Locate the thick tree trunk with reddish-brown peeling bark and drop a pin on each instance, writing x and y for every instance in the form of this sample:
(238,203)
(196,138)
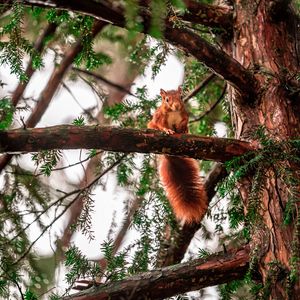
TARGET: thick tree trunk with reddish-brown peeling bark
(267,43)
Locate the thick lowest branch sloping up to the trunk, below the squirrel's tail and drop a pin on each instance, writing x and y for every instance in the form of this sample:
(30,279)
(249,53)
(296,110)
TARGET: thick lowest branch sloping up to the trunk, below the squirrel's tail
(169,281)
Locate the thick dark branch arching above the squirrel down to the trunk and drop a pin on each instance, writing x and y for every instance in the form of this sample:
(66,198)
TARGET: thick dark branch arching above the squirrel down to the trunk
(223,64)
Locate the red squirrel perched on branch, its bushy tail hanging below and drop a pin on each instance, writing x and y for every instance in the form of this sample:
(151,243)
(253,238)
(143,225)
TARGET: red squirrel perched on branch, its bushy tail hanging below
(180,176)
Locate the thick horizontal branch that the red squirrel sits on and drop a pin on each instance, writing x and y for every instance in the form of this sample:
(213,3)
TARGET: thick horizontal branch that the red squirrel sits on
(121,140)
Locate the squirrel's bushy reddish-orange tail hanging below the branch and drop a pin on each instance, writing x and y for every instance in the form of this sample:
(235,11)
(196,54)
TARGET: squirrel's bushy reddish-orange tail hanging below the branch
(180,177)
